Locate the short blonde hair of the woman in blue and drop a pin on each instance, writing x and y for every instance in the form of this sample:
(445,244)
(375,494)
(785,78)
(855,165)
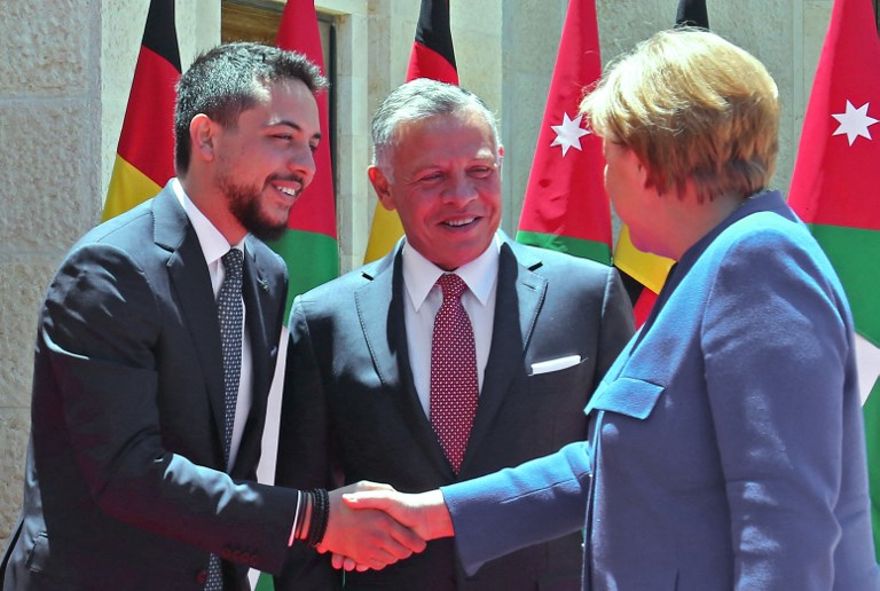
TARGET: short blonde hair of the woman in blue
(691,106)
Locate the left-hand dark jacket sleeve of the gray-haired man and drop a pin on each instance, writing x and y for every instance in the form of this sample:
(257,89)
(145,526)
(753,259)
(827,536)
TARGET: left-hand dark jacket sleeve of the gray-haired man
(305,453)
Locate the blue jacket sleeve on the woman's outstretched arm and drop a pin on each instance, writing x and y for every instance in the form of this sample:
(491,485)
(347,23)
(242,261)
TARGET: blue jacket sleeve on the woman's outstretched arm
(535,502)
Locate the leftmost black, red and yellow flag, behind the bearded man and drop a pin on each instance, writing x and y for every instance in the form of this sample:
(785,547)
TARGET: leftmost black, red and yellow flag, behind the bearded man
(145,154)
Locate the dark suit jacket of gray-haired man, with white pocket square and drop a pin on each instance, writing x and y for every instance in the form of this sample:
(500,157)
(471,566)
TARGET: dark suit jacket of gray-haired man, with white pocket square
(351,411)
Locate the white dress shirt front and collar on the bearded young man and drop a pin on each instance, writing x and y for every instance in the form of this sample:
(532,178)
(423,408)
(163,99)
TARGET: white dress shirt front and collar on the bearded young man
(214,246)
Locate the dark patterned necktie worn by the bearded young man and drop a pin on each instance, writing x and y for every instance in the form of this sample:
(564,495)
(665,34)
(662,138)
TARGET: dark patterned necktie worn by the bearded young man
(230,311)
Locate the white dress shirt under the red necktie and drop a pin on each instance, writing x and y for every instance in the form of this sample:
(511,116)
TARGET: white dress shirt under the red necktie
(424,299)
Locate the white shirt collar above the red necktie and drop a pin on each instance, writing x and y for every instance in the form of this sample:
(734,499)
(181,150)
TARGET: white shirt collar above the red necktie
(420,274)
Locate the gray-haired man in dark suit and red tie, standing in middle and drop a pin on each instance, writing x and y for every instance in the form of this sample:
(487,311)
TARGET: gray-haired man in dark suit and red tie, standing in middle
(458,354)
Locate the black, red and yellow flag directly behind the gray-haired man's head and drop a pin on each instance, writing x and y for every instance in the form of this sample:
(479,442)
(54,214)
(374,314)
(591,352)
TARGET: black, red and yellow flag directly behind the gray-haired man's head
(432,57)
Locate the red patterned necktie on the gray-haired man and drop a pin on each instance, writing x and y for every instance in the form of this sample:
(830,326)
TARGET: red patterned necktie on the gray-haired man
(454,385)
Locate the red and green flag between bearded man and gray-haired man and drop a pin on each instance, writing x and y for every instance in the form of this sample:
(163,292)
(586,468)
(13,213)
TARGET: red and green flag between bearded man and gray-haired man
(309,245)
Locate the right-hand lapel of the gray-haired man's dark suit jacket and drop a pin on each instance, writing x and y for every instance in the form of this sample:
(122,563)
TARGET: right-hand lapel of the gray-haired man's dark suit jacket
(519,294)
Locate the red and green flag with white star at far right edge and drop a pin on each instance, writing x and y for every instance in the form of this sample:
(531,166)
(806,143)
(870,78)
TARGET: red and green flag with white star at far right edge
(835,189)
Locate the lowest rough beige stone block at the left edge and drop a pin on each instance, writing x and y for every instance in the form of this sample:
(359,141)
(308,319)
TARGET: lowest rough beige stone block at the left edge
(14,432)
